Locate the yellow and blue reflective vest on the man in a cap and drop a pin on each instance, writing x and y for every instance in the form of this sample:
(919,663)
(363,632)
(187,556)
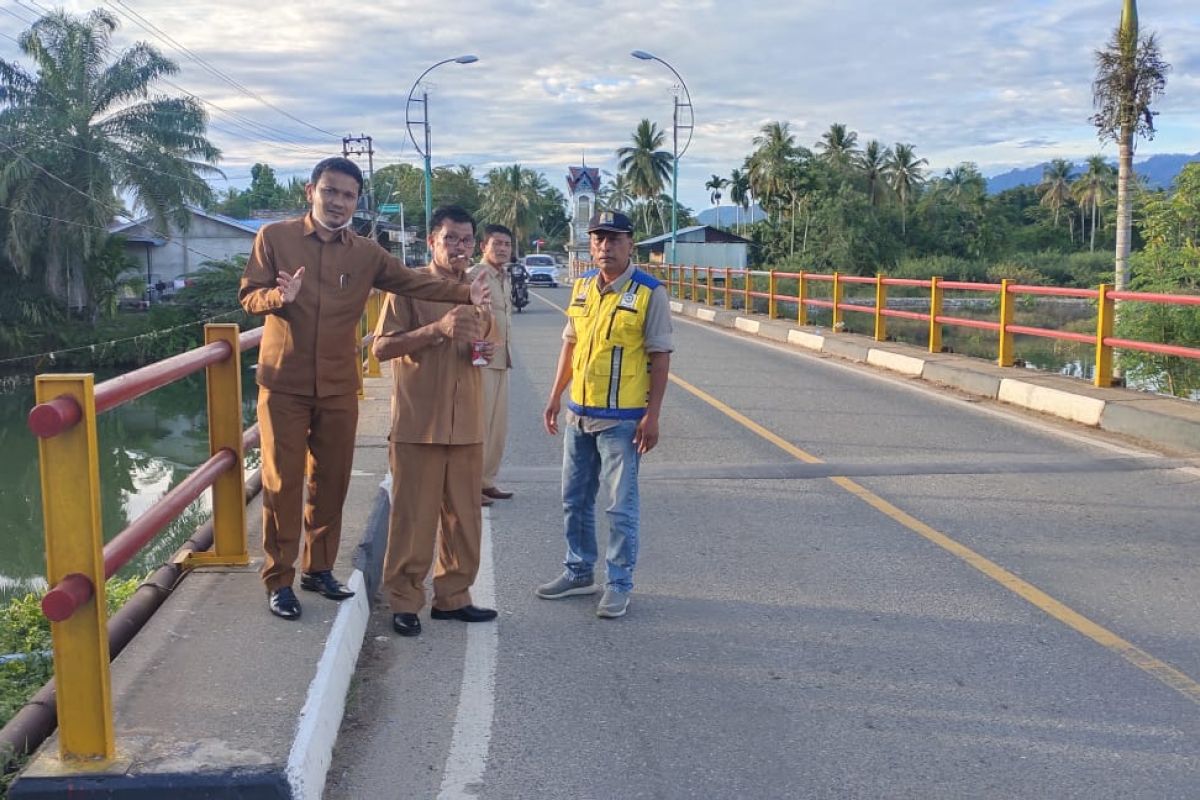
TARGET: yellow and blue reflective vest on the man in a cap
(610,368)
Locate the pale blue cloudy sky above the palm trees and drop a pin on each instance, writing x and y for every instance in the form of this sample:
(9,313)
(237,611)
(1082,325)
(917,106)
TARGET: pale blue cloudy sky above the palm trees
(1003,83)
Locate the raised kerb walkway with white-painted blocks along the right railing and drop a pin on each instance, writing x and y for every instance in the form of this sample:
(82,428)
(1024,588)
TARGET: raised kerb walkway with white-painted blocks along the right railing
(1166,423)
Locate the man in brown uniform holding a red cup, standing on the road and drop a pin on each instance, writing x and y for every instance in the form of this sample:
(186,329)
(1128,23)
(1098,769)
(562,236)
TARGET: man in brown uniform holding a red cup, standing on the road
(437,434)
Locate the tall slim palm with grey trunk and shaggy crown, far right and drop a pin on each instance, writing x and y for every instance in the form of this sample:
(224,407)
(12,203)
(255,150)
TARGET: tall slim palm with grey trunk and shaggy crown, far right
(1130,76)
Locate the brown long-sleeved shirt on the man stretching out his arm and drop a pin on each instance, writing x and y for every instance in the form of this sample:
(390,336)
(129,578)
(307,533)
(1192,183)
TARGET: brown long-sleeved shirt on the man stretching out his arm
(310,346)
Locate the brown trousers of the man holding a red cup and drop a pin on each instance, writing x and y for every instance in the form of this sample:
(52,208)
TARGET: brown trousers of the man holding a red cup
(435,498)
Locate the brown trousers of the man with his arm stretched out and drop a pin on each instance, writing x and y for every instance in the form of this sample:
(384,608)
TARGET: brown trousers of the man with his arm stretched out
(304,435)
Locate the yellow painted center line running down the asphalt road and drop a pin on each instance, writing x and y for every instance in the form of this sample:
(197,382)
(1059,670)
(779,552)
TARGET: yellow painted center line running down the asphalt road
(1028,592)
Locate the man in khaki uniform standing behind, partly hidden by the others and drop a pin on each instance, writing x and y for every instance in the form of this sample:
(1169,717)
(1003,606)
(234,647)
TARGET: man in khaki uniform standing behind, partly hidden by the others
(497,249)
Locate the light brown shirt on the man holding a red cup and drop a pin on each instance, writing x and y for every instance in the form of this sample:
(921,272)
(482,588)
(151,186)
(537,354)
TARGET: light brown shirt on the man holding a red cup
(437,395)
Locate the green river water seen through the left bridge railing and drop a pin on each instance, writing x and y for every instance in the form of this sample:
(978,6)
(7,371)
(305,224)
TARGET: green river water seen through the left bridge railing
(146,448)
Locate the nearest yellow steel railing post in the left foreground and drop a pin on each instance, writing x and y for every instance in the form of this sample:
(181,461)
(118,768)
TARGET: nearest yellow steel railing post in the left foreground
(70,474)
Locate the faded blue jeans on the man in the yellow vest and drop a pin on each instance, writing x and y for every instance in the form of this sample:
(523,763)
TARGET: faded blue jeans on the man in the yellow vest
(604,462)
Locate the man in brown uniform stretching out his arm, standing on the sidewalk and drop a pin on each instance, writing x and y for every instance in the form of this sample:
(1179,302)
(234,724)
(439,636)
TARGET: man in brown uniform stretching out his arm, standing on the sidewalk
(308,371)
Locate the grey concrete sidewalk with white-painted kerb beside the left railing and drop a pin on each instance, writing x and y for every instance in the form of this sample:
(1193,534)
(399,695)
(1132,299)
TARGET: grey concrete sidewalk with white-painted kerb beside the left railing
(217,697)
